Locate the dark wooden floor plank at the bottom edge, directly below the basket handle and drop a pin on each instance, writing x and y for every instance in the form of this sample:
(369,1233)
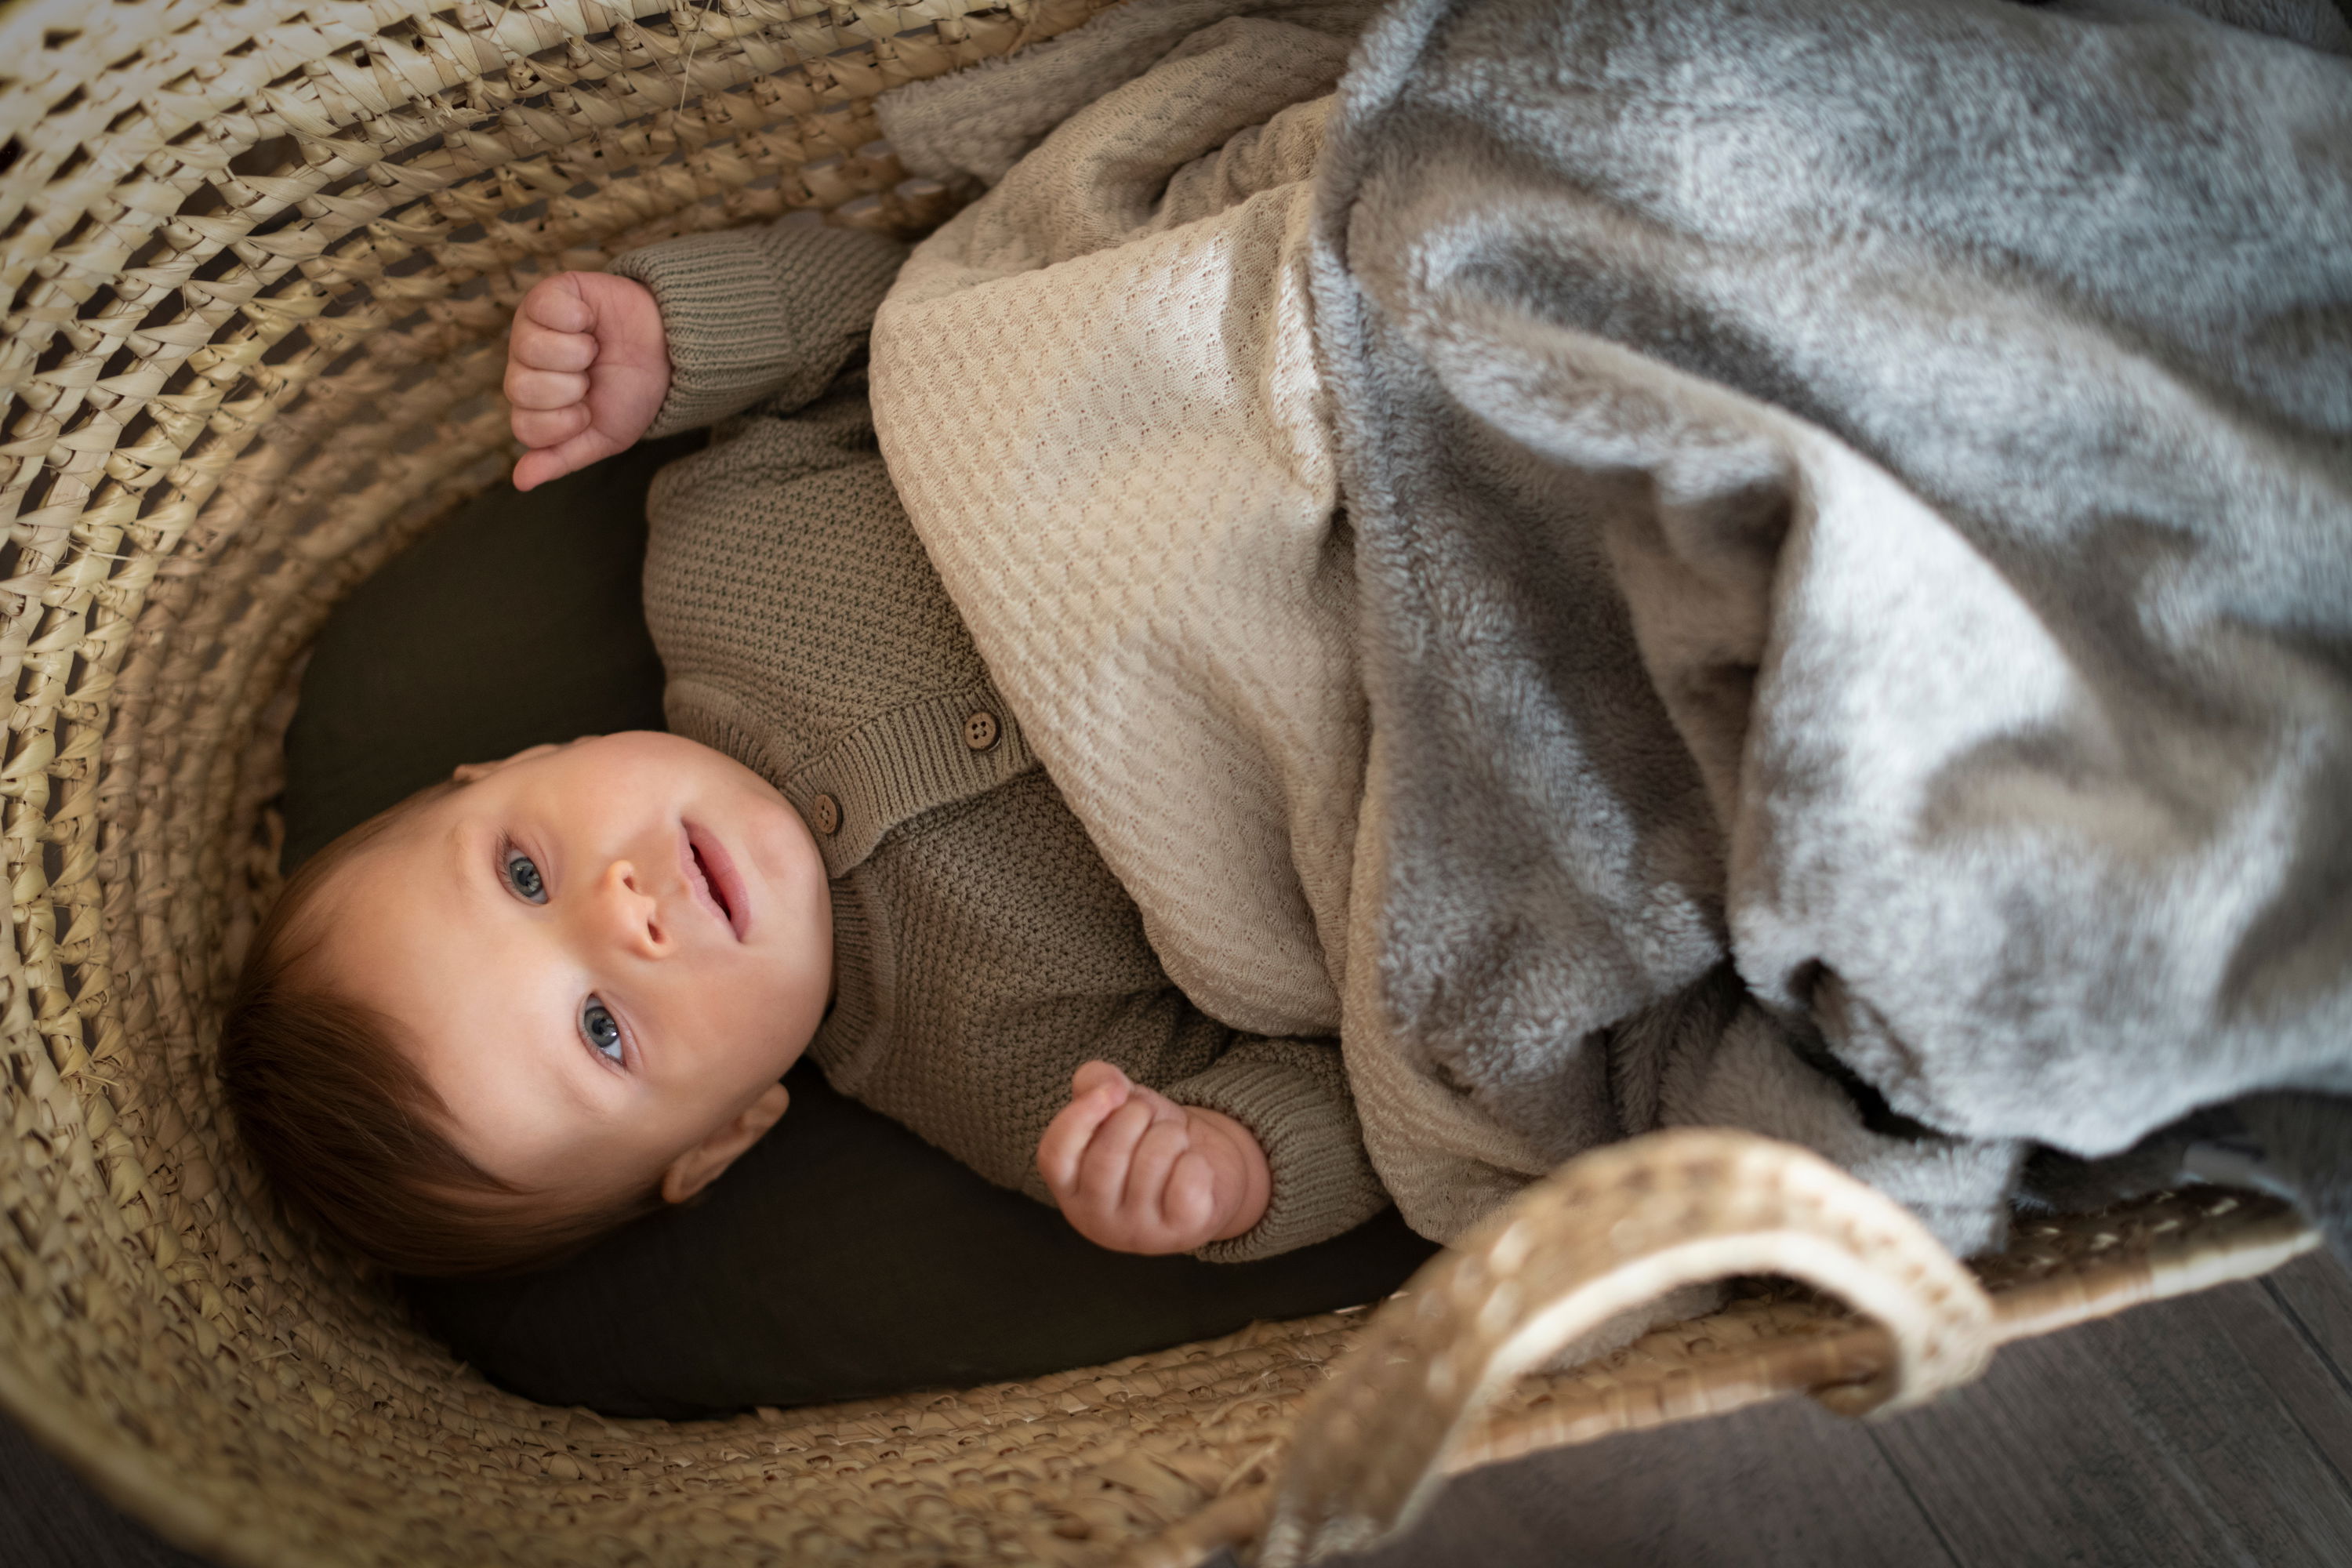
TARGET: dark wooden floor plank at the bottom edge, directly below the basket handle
(1775,1487)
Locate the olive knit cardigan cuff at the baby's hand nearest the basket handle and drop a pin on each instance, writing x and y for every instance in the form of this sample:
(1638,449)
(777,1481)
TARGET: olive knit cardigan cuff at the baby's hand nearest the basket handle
(1292,1094)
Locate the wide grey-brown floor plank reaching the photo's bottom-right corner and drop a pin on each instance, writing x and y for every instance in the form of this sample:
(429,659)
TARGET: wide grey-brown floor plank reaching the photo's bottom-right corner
(2151,1440)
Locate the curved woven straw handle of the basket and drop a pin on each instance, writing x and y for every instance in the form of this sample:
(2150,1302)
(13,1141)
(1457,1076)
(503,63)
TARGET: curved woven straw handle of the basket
(1608,1233)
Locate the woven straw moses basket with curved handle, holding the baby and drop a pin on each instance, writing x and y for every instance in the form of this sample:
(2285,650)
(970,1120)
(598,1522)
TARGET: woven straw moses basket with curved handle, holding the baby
(260,260)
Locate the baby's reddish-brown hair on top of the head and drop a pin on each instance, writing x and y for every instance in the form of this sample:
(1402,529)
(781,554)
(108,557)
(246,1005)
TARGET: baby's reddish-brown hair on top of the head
(347,1127)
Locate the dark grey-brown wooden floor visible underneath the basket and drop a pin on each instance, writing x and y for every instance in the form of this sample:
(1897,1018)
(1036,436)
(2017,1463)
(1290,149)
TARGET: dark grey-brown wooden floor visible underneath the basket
(2184,1435)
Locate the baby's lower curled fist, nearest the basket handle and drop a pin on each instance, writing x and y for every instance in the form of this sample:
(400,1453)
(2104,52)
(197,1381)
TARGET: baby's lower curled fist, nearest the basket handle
(1140,1174)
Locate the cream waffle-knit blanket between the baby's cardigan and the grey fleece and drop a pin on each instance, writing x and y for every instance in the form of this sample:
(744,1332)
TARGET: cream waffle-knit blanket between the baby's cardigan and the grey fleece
(1147,549)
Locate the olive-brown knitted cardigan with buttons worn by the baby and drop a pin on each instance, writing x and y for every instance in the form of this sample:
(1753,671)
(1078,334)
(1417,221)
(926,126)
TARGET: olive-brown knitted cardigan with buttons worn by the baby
(982,946)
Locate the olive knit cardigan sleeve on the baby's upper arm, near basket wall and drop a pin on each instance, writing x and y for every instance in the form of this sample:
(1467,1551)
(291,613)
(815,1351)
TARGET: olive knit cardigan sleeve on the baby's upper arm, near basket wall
(761,314)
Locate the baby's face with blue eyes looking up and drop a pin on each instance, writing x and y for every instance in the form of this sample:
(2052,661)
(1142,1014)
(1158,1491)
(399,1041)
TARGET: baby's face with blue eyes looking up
(603,956)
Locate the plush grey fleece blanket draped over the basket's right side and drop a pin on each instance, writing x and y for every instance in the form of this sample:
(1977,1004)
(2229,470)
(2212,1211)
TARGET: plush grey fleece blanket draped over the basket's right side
(1855,525)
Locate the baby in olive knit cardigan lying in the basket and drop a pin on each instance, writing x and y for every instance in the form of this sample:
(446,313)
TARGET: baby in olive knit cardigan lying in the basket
(559,991)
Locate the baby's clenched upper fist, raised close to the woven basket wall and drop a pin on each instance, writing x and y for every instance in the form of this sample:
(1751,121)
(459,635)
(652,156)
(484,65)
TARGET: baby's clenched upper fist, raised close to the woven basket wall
(587,373)
